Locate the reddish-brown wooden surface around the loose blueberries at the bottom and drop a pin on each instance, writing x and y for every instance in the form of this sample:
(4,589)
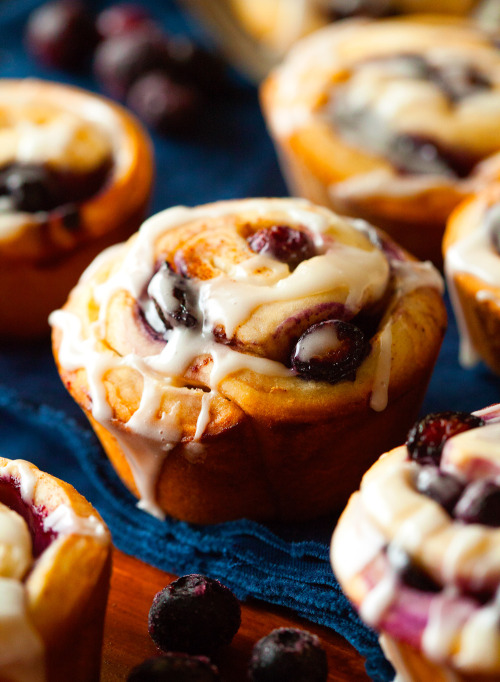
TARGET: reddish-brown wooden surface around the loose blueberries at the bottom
(127,643)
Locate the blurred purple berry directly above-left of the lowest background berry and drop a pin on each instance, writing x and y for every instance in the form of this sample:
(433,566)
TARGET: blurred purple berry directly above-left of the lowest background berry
(120,60)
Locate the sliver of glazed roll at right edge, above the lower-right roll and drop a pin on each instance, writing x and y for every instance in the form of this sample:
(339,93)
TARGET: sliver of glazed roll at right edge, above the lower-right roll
(472,264)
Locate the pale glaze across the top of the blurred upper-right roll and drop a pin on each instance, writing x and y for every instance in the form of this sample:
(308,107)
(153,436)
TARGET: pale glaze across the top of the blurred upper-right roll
(390,94)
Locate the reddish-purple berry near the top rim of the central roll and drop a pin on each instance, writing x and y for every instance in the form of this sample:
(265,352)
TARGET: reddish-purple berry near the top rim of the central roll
(284,243)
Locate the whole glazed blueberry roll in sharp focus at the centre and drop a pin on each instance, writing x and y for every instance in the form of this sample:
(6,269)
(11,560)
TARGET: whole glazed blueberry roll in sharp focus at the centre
(245,358)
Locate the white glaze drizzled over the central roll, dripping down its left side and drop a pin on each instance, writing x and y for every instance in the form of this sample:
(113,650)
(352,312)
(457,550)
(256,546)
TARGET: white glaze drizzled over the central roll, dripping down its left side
(356,275)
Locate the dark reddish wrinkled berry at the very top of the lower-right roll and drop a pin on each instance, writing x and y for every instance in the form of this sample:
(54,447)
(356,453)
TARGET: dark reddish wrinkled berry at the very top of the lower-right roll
(427,437)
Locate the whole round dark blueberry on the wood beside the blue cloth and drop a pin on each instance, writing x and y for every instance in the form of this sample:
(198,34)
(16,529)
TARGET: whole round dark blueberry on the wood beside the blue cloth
(194,614)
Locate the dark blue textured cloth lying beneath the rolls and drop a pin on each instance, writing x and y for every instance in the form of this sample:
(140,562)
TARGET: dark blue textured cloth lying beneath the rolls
(284,564)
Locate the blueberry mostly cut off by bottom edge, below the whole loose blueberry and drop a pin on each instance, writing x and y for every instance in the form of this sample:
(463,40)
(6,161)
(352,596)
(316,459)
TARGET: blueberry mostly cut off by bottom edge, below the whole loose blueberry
(174,667)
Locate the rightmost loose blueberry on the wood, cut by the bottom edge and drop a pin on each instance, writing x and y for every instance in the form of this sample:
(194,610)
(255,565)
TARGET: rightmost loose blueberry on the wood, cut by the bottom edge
(288,655)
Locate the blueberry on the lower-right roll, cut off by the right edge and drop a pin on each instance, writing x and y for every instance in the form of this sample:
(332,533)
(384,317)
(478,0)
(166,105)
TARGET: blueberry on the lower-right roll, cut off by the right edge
(480,503)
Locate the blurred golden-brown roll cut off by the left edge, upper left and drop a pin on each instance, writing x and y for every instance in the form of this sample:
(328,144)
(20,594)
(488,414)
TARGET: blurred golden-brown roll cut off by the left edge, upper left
(75,177)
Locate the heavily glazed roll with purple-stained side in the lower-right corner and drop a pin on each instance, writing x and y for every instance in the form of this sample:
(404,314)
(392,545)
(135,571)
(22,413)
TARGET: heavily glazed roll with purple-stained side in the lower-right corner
(417,549)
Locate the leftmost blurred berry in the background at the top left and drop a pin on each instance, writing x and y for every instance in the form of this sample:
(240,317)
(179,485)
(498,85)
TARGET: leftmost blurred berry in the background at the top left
(61,34)
